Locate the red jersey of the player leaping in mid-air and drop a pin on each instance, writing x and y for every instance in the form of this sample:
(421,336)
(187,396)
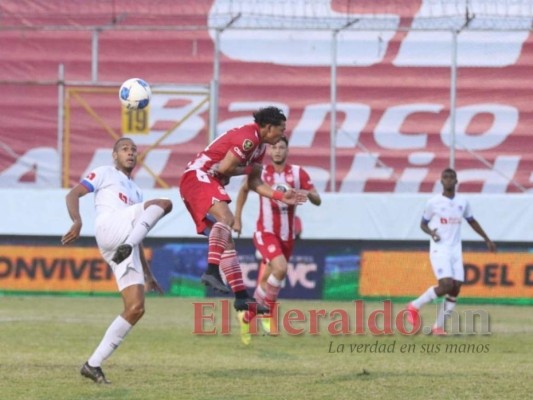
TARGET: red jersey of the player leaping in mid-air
(244,142)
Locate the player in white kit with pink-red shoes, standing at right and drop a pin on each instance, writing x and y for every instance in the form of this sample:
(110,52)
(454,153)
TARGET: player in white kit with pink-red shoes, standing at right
(442,219)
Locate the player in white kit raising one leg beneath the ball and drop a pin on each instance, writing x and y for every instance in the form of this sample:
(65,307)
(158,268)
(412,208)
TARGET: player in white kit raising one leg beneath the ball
(122,221)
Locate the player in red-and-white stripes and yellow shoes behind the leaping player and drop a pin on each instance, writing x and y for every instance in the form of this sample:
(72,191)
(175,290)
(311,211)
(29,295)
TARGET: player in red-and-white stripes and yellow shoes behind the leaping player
(277,226)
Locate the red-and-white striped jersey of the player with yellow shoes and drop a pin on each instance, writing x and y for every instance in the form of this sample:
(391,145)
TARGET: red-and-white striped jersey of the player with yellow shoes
(275,216)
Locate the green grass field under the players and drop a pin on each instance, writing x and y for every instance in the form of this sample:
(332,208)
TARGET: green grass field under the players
(45,340)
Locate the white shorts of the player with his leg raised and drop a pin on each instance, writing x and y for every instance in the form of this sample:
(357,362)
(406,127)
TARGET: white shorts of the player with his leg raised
(111,231)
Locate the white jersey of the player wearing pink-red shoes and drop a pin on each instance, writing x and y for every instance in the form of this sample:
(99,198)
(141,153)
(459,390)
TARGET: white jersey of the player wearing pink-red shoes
(446,215)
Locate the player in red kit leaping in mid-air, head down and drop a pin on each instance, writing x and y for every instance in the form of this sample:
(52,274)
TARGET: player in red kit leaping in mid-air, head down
(202,189)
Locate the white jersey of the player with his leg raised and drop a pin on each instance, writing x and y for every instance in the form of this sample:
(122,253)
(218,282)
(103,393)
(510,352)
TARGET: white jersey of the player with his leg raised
(113,190)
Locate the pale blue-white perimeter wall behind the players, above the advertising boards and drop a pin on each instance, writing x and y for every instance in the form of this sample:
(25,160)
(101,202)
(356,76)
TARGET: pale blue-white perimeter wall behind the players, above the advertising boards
(341,216)
